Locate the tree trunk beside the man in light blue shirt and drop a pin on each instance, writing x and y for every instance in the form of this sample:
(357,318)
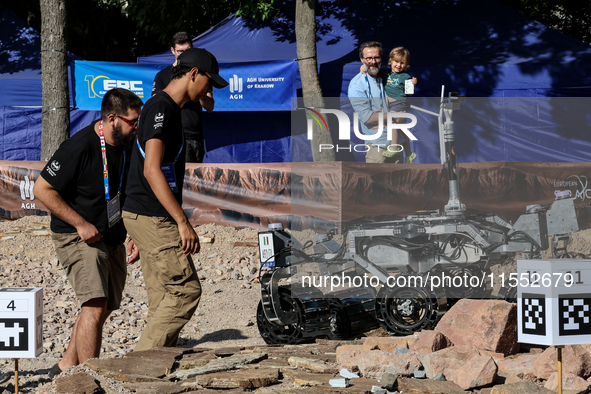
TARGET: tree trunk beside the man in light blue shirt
(305,29)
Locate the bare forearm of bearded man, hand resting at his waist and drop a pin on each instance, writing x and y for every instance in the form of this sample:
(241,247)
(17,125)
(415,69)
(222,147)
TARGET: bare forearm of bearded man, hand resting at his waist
(53,201)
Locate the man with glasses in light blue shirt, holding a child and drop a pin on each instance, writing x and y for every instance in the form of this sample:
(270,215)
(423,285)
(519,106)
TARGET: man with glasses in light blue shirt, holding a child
(369,101)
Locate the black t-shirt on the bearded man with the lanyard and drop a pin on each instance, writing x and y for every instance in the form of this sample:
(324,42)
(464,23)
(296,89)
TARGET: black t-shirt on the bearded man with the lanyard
(76,171)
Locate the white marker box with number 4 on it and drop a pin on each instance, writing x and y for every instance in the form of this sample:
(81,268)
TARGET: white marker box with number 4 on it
(21,322)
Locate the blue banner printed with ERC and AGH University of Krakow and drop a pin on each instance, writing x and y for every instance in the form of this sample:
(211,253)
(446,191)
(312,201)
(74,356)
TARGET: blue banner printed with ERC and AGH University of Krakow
(254,86)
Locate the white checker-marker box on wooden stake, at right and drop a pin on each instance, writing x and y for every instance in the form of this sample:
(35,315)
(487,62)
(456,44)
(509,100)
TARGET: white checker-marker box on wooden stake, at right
(554,303)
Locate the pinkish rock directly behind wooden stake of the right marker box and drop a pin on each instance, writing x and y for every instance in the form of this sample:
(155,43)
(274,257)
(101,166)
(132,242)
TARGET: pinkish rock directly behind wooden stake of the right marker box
(575,360)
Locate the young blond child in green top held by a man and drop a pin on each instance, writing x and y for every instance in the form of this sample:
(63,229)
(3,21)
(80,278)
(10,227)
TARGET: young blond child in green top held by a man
(394,82)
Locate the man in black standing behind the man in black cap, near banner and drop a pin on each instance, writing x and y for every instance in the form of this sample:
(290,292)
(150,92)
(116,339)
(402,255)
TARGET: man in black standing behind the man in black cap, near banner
(191,111)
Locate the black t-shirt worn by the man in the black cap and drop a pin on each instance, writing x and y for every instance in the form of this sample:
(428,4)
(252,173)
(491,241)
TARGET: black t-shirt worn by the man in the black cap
(160,118)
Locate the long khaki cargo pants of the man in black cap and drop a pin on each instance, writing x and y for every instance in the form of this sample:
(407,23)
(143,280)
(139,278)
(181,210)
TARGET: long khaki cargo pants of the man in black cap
(173,288)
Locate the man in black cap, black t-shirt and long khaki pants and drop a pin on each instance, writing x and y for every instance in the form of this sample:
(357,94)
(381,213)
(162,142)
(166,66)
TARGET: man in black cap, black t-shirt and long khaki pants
(152,212)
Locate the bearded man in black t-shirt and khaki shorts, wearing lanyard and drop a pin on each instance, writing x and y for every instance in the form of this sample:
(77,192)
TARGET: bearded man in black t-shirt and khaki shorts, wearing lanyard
(83,187)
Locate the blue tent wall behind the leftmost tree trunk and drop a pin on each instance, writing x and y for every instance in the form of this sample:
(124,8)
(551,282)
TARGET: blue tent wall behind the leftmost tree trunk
(20,91)
